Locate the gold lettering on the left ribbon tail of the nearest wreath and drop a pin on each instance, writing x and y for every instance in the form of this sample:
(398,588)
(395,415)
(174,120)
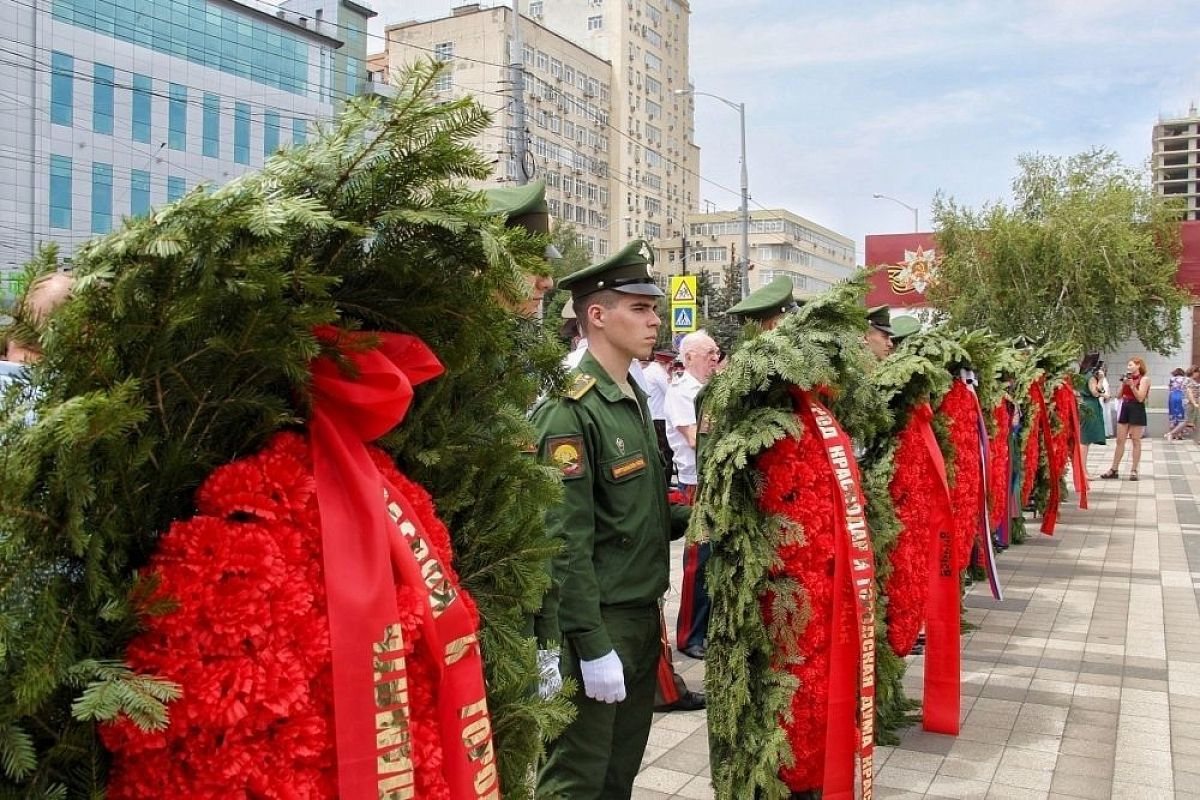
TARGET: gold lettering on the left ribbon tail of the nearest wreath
(394,760)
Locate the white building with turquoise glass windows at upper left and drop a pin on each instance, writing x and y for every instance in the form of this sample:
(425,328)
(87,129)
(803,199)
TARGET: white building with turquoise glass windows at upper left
(115,107)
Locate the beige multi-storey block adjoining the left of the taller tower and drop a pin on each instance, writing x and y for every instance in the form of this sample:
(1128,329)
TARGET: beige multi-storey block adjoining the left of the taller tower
(567,99)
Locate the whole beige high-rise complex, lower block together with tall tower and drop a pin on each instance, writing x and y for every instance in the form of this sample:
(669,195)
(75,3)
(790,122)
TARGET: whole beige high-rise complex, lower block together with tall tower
(602,103)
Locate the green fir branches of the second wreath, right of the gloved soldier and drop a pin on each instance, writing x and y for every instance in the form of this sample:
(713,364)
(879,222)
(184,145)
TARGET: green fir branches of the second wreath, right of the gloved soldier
(751,410)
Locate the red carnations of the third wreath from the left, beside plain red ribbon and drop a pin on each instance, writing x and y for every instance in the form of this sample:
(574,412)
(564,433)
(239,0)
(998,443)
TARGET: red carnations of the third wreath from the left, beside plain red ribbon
(914,488)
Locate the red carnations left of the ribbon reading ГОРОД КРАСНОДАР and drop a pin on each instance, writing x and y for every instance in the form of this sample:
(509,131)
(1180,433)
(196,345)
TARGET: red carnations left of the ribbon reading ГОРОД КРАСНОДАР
(797,486)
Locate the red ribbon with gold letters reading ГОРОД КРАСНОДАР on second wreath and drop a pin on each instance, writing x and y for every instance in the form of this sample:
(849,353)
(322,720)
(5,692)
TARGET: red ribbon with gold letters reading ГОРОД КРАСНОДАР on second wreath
(851,675)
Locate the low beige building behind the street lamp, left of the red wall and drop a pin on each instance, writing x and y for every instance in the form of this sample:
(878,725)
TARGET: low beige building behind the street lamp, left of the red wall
(781,244)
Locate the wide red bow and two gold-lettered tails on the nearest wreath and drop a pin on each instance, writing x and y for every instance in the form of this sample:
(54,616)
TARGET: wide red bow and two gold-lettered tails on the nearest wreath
(373,544)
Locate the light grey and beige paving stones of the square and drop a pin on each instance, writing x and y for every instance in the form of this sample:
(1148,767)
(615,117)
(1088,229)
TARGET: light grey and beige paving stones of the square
(1083,684)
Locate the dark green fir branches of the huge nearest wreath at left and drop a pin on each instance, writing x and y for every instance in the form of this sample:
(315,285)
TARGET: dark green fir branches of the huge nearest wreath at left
(187,345)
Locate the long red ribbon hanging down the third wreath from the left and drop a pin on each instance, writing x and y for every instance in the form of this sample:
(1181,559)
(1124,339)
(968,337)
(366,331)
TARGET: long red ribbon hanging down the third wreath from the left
(943,682)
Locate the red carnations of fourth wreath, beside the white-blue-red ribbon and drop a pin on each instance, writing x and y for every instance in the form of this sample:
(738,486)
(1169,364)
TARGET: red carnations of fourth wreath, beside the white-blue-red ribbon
(961,412)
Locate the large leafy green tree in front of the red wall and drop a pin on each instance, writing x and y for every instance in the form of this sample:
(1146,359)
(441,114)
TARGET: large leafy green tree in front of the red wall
(1085,254)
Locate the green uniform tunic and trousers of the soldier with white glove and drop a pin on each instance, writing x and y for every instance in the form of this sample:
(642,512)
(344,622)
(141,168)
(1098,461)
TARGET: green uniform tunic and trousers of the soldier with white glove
(615,526)
